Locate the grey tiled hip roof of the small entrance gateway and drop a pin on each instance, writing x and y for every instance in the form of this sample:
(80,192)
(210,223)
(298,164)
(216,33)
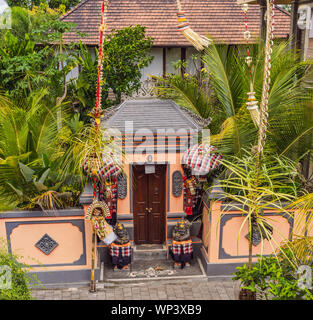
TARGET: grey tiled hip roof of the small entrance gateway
(153,114)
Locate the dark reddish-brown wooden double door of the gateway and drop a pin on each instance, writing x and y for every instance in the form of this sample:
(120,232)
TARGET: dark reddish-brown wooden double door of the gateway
(149,204)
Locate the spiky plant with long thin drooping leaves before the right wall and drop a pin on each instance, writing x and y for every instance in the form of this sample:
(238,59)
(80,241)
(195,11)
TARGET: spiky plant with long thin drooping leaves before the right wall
(253,187)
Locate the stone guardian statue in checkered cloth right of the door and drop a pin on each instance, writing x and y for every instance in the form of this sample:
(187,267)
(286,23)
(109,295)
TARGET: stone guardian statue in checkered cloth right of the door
(181,250)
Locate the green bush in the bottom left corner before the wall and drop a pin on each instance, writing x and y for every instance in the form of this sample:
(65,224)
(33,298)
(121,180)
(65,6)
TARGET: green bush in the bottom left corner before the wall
(21,281)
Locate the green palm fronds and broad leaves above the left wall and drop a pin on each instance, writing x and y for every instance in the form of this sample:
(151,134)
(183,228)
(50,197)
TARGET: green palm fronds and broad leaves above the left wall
(30,154)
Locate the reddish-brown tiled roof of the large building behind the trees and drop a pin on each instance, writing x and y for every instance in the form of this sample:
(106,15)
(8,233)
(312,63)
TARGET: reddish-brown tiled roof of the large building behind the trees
(222,20)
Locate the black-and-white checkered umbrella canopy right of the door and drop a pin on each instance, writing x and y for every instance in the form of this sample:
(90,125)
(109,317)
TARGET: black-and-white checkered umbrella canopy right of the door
(201,159)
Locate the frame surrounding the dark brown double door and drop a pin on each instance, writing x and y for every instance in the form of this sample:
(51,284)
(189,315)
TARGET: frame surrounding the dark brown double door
(167,190)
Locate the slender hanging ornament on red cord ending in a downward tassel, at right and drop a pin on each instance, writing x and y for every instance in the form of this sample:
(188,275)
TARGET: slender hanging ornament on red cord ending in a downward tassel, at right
(252,104)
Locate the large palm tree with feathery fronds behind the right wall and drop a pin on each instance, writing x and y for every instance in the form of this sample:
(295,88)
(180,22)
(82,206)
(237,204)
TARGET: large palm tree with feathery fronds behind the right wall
(290,103)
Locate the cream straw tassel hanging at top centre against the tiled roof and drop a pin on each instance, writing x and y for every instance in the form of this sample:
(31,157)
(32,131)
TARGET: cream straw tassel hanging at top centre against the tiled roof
(198,41)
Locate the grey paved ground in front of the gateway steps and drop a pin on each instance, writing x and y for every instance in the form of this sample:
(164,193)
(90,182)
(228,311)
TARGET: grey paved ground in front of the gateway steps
(161,289)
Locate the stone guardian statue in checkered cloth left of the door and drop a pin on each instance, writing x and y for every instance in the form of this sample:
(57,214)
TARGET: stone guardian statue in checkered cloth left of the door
(120,249)
